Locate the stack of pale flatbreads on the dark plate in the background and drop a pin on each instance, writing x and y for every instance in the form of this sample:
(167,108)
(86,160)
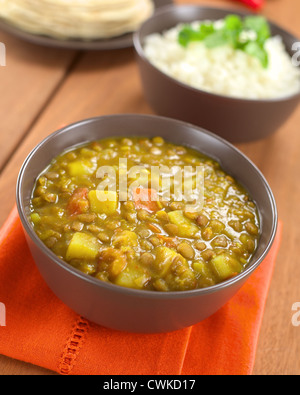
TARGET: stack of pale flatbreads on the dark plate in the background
(77,19)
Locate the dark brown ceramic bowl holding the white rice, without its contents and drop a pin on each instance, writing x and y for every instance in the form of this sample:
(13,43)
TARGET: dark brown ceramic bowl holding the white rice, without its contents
(237,120)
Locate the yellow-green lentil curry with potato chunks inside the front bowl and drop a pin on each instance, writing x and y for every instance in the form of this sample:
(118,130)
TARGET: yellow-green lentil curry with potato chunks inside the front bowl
(155,244)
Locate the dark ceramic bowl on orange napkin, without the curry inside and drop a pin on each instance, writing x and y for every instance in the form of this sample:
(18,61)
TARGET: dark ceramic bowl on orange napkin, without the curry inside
(128,309)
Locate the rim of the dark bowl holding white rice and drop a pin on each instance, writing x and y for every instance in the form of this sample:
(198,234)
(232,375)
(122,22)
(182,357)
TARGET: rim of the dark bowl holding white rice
(138,46)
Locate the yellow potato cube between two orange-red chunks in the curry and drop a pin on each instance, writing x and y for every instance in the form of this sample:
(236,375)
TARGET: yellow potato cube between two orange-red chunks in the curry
(103,202)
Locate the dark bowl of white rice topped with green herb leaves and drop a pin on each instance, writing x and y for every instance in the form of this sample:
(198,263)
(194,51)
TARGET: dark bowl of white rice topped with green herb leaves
(233,73)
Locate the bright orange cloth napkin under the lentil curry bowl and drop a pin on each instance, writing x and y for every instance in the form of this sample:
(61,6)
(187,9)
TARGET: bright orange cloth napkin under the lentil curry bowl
(41,330)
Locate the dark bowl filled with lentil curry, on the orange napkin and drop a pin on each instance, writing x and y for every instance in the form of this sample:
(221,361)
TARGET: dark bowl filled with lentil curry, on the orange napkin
(141,258)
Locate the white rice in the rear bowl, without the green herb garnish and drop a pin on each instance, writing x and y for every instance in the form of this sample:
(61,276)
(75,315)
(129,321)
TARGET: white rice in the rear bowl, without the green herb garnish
(224,70)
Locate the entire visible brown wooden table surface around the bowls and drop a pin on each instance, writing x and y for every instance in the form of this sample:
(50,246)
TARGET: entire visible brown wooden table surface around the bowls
(43,88)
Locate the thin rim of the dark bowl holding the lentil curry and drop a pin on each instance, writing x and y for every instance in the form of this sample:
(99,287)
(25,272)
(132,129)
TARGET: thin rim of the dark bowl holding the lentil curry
(130,291)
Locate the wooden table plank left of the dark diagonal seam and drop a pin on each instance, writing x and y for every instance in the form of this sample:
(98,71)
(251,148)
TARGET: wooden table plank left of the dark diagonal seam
(30,77)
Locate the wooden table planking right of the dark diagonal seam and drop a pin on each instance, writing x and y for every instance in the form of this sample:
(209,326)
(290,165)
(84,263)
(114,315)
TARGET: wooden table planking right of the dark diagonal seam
(108,82)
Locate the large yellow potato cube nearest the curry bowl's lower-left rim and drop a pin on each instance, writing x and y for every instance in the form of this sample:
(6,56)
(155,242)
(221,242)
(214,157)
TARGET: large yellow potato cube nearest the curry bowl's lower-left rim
(83,246)
